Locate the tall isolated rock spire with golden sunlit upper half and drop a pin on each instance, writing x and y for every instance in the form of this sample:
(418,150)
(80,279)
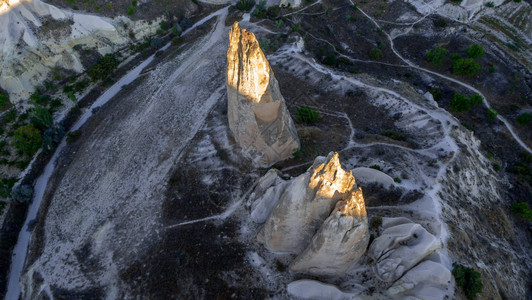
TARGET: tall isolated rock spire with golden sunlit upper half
(258,117)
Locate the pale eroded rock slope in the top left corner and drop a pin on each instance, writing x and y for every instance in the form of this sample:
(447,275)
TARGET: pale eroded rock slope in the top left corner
(36,37)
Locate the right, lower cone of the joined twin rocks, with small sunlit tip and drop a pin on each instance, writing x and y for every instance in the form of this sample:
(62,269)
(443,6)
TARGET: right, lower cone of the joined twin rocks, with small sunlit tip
(341,240)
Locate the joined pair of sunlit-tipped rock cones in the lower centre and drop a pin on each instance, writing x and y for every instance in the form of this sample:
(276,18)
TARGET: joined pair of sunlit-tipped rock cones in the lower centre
(306,213)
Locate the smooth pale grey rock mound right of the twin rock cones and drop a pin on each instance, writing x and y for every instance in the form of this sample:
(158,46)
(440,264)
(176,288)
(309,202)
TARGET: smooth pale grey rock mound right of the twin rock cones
(401,246)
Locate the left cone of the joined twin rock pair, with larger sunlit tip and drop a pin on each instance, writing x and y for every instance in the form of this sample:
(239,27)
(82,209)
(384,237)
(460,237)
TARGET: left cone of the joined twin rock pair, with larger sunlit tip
(306,202)
